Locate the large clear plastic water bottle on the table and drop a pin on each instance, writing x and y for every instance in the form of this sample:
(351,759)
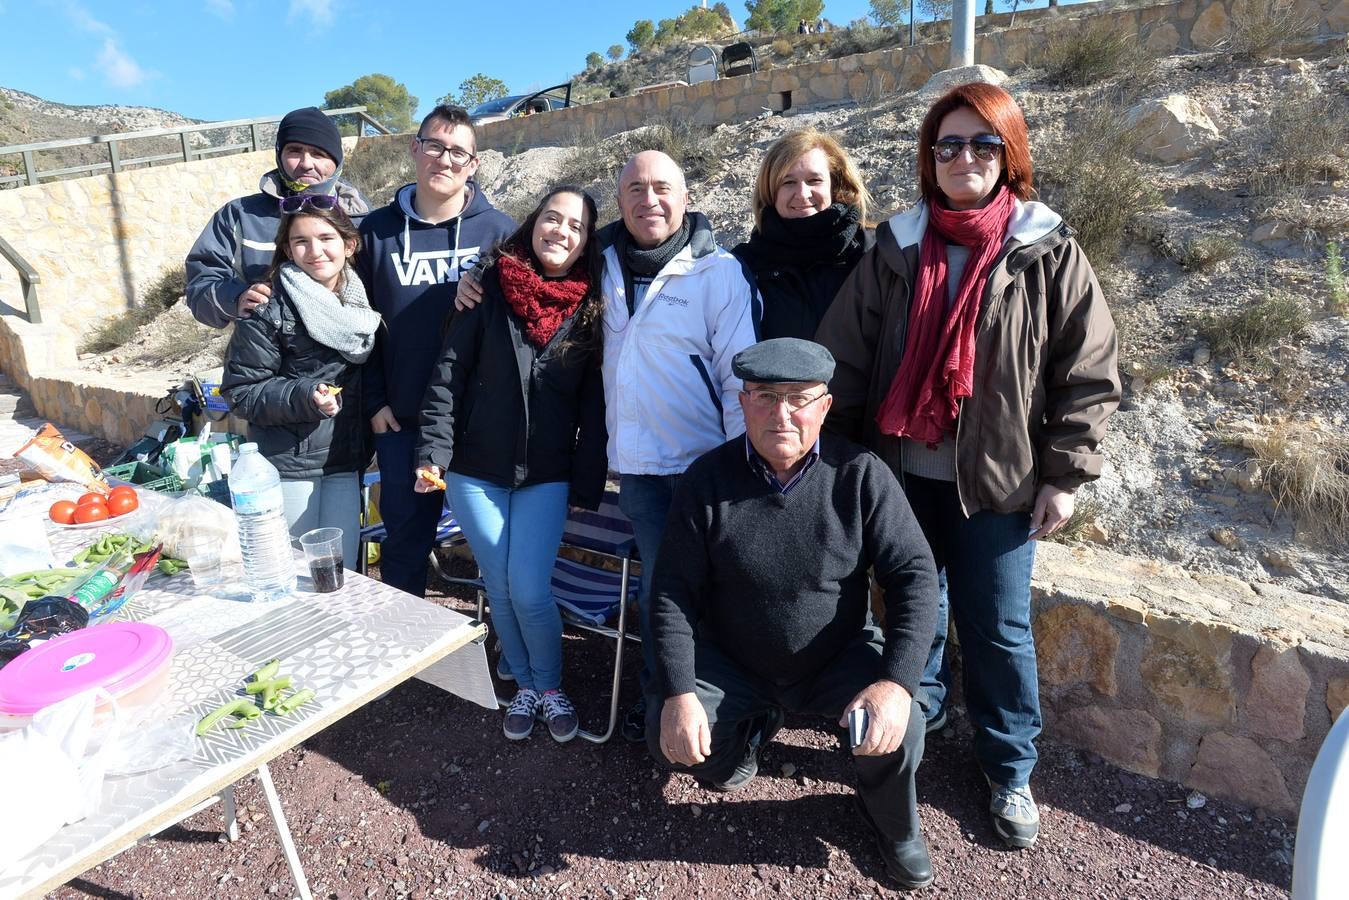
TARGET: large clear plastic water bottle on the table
(264,536)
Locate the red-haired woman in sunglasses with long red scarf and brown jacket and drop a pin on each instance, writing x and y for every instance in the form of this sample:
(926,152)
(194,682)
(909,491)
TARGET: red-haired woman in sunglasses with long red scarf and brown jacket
(977,357)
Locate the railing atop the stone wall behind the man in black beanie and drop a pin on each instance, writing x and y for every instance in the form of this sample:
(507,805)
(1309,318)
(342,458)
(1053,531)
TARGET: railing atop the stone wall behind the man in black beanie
(117,161)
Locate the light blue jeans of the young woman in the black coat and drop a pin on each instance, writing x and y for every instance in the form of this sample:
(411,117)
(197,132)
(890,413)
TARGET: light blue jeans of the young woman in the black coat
(515,535)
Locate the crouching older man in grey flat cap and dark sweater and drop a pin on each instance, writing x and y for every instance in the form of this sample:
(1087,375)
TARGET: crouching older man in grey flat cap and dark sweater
(762,601)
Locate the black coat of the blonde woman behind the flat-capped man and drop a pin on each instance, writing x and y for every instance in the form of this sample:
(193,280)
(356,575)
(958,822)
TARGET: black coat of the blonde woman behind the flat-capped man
(795,293)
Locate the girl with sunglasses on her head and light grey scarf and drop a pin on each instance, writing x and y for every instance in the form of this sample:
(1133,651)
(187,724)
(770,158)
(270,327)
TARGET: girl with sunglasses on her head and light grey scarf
(293,370)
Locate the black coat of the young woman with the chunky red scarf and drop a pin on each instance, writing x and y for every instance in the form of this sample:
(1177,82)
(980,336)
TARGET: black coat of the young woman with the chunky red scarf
(501,411)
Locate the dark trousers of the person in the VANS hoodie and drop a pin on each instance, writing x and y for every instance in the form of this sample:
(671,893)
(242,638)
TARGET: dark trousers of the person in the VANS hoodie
(409,517)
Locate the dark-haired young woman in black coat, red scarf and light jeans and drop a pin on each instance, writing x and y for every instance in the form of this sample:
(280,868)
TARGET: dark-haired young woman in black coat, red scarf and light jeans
(515,420)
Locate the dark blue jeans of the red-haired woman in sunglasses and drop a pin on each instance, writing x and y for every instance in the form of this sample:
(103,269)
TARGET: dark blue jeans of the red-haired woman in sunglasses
(985,567)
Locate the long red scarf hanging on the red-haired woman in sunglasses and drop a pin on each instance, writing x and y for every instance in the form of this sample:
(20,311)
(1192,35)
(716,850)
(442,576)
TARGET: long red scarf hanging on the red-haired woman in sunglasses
(938,366)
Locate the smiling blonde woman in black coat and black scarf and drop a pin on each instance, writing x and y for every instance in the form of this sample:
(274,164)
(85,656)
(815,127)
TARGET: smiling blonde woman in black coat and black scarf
(810,230)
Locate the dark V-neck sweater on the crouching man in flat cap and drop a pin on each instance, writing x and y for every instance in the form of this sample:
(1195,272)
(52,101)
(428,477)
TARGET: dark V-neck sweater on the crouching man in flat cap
(779,582)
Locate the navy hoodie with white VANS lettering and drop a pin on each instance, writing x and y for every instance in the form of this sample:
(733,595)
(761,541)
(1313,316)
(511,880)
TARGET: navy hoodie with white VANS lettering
(412,269)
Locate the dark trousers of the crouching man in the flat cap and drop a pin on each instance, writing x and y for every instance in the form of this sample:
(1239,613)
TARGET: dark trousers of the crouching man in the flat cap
(736,702)
